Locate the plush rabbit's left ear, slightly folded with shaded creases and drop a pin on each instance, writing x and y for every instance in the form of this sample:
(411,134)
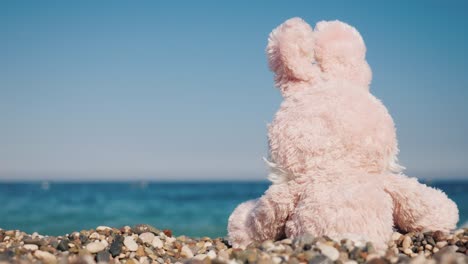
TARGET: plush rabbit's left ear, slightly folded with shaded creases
(291,54)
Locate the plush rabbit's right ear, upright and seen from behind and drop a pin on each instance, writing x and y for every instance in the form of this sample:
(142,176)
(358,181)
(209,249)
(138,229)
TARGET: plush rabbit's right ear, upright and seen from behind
(341,52)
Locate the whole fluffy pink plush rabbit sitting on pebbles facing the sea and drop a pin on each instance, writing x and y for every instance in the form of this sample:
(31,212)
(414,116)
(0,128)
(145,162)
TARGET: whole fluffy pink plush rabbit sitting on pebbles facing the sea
(333,149)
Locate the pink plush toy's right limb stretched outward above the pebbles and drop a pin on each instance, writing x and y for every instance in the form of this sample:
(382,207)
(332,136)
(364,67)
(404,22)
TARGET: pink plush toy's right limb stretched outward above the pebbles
(418,207)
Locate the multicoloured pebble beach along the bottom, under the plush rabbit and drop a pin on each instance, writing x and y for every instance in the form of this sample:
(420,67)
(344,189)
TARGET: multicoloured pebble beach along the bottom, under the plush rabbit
(147,244)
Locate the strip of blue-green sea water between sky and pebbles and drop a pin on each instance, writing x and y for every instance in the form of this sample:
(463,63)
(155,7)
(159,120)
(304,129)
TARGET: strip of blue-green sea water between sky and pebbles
(189,208)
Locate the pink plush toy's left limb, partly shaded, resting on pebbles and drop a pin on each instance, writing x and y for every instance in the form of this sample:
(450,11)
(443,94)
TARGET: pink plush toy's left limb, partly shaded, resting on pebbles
(261,219)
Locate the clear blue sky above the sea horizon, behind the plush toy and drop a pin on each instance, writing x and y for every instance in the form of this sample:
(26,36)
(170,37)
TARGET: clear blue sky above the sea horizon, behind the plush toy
(177,90)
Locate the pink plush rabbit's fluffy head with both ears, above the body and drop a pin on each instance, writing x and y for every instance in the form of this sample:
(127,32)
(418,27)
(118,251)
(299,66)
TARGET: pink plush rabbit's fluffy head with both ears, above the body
(329,121)
